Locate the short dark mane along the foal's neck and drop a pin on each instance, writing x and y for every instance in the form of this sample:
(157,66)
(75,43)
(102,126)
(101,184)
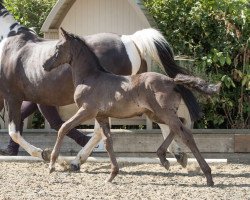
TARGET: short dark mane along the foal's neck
(84,46)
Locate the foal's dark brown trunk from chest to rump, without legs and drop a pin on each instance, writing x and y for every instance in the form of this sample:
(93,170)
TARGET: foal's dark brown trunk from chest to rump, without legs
(127,96)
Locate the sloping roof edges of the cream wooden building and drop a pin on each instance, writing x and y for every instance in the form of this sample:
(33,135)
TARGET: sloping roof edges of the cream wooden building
(61,8)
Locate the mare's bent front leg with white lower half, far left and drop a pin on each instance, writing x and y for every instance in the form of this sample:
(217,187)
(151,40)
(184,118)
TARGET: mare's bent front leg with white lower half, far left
(13,108)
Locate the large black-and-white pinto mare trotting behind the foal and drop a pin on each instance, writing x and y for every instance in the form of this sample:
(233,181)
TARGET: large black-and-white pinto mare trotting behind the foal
(22,77)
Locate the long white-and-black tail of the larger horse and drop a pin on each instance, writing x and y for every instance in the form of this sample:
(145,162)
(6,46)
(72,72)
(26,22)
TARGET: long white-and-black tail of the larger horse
(152,43)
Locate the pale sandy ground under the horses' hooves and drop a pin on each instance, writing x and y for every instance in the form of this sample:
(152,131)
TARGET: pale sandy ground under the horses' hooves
(135,181)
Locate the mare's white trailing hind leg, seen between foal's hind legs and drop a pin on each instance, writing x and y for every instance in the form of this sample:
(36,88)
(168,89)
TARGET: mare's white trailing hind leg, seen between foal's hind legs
(174,148)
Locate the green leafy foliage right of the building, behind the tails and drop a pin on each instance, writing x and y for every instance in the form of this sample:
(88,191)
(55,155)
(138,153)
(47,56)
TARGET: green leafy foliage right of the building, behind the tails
(216,34)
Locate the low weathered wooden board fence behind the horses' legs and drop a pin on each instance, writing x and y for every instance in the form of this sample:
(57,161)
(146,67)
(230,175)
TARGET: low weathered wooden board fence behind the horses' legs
(137,142)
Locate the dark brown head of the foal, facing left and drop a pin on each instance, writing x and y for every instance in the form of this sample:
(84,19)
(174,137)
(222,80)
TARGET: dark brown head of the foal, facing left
(62,53)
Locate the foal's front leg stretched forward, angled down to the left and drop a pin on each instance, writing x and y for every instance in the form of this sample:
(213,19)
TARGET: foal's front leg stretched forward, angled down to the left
(81,115)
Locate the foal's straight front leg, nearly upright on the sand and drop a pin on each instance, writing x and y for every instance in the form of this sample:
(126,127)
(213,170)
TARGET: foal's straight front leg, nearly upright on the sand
(107,139)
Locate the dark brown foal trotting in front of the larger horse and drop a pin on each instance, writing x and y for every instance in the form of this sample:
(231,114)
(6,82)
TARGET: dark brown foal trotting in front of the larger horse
(100,95)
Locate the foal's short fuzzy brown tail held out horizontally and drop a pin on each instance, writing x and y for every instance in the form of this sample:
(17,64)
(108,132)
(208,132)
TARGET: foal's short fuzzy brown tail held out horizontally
(198,84)
